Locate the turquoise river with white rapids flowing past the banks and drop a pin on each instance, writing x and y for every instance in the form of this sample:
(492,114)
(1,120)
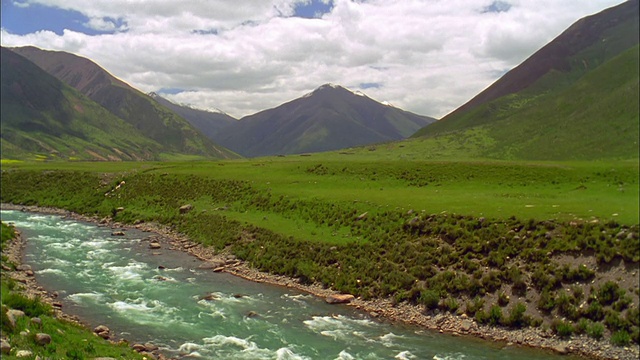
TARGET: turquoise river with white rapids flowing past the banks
(119,282)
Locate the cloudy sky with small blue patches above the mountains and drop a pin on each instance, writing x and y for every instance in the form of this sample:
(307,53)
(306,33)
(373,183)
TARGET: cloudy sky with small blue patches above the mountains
(243,56)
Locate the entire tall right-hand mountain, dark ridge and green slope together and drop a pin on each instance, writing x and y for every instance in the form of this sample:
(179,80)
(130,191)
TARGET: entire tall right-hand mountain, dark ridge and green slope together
(575,98)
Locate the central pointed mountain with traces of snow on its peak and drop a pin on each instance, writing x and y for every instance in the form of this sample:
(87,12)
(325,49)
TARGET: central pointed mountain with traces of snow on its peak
(329,118)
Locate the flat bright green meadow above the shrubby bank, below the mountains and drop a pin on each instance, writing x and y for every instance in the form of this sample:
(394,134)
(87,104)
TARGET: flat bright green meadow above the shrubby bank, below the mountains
(539,190)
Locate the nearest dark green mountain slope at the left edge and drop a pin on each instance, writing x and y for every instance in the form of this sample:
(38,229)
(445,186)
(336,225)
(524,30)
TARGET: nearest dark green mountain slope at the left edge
(43,118)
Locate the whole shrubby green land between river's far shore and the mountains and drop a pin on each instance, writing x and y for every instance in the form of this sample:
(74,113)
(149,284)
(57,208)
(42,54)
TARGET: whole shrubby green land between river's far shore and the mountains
(509,270)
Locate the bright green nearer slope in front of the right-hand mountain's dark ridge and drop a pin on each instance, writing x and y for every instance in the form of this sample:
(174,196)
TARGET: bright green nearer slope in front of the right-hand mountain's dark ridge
(556,125)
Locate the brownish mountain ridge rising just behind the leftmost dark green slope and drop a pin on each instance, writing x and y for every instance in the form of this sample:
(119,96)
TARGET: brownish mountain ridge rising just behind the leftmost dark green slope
(152,119)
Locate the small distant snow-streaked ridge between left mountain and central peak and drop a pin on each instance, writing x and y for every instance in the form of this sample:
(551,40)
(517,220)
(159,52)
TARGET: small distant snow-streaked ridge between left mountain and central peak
(208,122)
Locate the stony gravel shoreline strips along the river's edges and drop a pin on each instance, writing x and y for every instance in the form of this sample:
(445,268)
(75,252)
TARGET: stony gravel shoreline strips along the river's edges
(162,238)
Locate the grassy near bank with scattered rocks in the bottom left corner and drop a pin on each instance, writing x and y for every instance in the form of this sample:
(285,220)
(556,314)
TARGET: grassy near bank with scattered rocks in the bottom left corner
(68,340)
